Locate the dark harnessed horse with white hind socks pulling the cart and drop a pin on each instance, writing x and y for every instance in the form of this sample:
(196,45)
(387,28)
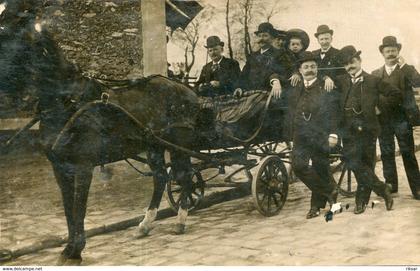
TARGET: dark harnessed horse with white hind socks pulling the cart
(78,133)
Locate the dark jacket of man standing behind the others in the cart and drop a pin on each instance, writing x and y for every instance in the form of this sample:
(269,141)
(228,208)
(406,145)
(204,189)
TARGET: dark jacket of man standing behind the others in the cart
(329,65)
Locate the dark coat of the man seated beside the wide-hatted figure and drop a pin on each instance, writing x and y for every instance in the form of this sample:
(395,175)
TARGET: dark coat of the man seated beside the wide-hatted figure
(260,69)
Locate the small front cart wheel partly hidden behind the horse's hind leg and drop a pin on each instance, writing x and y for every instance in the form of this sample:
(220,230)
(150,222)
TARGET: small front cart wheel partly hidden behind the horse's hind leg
(173,192)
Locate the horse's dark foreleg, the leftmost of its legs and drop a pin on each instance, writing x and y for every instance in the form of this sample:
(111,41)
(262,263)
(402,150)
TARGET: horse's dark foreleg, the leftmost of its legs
(64,176)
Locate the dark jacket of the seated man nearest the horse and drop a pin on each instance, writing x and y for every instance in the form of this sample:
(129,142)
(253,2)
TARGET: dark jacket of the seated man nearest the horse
(227,74)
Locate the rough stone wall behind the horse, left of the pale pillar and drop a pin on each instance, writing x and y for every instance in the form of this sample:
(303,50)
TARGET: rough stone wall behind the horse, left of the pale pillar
(102,37)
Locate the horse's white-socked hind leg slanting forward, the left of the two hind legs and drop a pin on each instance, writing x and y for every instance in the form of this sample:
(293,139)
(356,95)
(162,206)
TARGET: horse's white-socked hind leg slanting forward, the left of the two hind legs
(156,159)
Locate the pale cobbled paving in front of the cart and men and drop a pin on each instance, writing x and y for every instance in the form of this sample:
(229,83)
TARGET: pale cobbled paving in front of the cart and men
(234,233)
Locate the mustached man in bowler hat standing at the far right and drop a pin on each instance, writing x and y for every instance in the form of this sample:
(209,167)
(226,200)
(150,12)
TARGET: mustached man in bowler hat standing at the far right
(399,121)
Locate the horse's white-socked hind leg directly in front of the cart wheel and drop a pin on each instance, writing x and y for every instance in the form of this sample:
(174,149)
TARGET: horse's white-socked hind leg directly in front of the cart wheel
(182,171)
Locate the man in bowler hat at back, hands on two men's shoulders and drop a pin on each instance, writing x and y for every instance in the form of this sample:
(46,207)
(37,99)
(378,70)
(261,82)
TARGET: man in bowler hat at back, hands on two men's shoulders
(327,56)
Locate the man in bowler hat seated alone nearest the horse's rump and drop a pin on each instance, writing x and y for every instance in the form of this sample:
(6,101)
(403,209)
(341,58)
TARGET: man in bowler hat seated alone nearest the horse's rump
(218,76)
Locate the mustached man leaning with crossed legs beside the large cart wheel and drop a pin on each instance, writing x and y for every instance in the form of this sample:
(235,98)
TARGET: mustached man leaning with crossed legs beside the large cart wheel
(313,114)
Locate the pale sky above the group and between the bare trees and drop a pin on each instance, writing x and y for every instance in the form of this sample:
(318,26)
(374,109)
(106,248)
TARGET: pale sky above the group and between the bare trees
(362,23)
